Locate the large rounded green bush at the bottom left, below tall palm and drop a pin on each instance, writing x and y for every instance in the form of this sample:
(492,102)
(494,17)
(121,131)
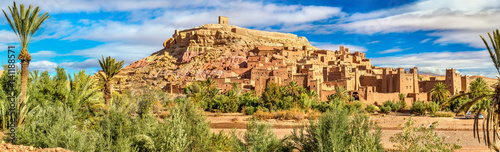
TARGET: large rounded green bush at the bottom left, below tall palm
(54,126)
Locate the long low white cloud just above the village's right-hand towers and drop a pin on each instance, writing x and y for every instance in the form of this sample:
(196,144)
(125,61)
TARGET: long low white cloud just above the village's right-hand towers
(468,62)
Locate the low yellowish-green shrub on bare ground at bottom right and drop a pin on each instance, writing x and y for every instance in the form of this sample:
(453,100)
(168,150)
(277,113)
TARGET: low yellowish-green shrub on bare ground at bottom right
(414,138)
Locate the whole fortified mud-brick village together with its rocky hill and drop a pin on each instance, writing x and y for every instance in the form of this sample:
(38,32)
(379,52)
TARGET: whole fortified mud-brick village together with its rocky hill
(229,54)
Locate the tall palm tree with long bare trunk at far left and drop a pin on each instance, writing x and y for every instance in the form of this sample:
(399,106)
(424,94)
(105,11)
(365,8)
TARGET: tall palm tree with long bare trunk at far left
(25,23)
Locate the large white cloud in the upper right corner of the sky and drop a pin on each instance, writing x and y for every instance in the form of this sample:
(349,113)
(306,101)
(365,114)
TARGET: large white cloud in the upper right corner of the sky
(452,21)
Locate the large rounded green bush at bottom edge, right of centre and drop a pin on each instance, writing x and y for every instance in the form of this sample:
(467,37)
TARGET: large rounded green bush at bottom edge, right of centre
(336,130)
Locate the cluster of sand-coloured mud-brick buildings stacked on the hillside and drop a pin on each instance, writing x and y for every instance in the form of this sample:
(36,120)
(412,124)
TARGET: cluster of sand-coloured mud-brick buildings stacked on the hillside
(323,70)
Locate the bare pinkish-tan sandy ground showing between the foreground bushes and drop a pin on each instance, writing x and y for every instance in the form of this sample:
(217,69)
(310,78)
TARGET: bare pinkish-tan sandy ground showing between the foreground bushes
(453,129)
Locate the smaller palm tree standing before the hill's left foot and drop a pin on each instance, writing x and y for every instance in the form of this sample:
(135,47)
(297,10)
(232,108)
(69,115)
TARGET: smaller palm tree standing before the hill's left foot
(110,68)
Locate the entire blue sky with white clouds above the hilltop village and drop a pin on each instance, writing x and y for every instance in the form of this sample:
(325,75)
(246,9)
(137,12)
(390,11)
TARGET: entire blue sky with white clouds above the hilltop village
(430,34)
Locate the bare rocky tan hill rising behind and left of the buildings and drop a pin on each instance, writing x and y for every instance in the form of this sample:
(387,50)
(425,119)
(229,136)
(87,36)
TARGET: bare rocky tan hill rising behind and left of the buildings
(210,50)
